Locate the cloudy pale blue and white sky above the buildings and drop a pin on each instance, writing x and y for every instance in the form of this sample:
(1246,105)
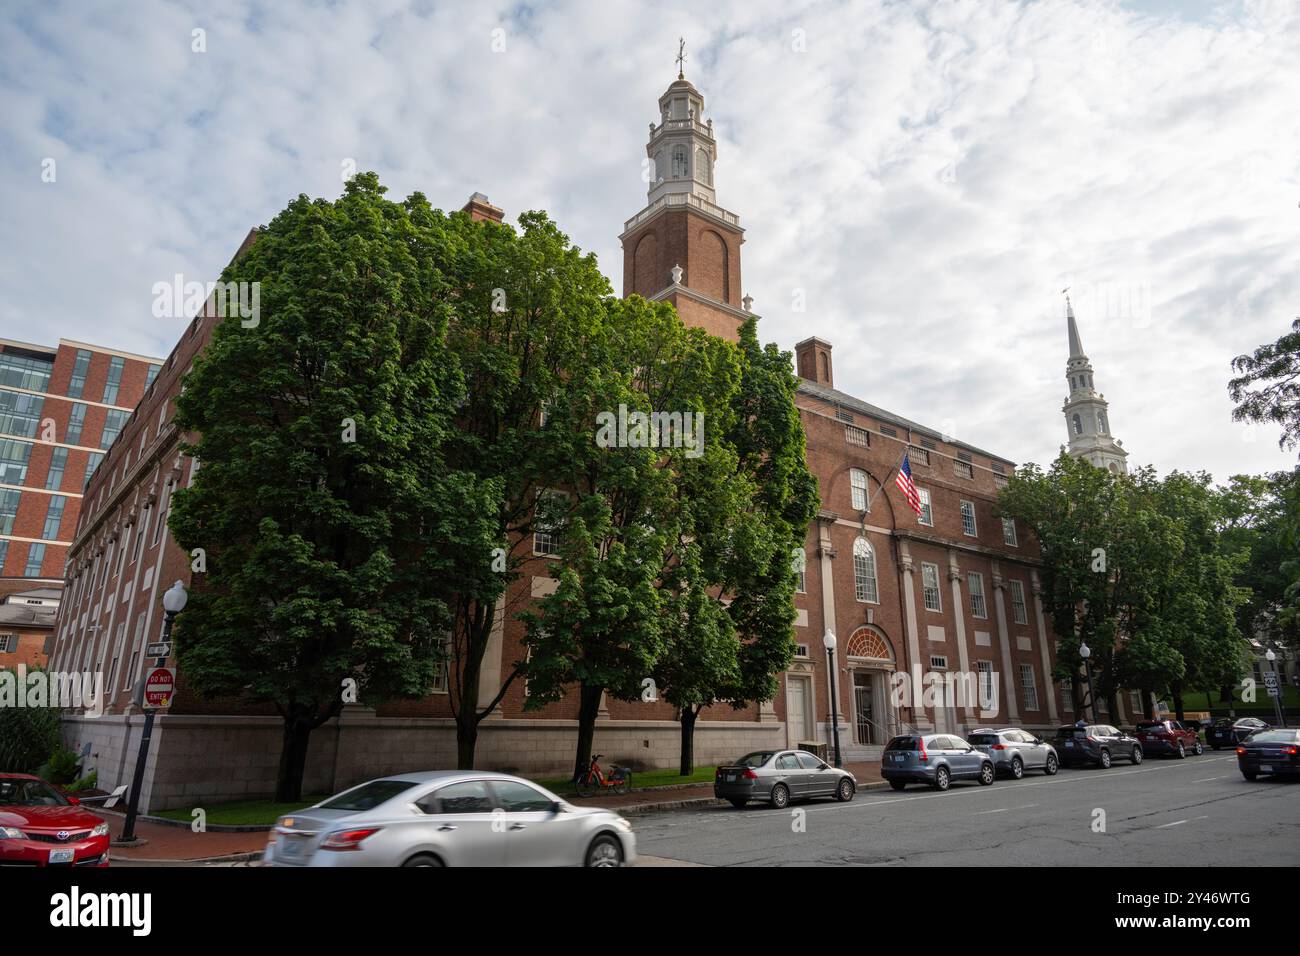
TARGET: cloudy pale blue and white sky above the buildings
(918,183)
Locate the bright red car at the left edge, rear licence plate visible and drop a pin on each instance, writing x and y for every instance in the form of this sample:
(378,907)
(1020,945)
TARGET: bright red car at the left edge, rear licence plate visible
(42,828)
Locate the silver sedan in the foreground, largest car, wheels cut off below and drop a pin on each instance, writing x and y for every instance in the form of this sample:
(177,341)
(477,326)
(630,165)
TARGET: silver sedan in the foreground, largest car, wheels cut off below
(450,819)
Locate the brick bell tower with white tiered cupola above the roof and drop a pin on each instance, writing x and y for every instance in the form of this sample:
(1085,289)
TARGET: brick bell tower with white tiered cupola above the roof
(683,248)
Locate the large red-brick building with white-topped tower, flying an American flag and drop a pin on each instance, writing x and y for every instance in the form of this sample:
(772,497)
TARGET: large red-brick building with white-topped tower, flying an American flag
(896,591)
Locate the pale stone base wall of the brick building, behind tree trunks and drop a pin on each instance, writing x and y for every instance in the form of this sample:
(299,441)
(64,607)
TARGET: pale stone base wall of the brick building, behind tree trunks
(201,759)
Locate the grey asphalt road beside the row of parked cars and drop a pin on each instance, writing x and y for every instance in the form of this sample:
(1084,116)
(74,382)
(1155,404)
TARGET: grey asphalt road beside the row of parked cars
(1195,812)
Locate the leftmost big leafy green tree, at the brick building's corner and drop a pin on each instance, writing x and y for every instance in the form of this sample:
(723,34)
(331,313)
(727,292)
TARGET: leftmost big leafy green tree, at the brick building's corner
(331,522)
